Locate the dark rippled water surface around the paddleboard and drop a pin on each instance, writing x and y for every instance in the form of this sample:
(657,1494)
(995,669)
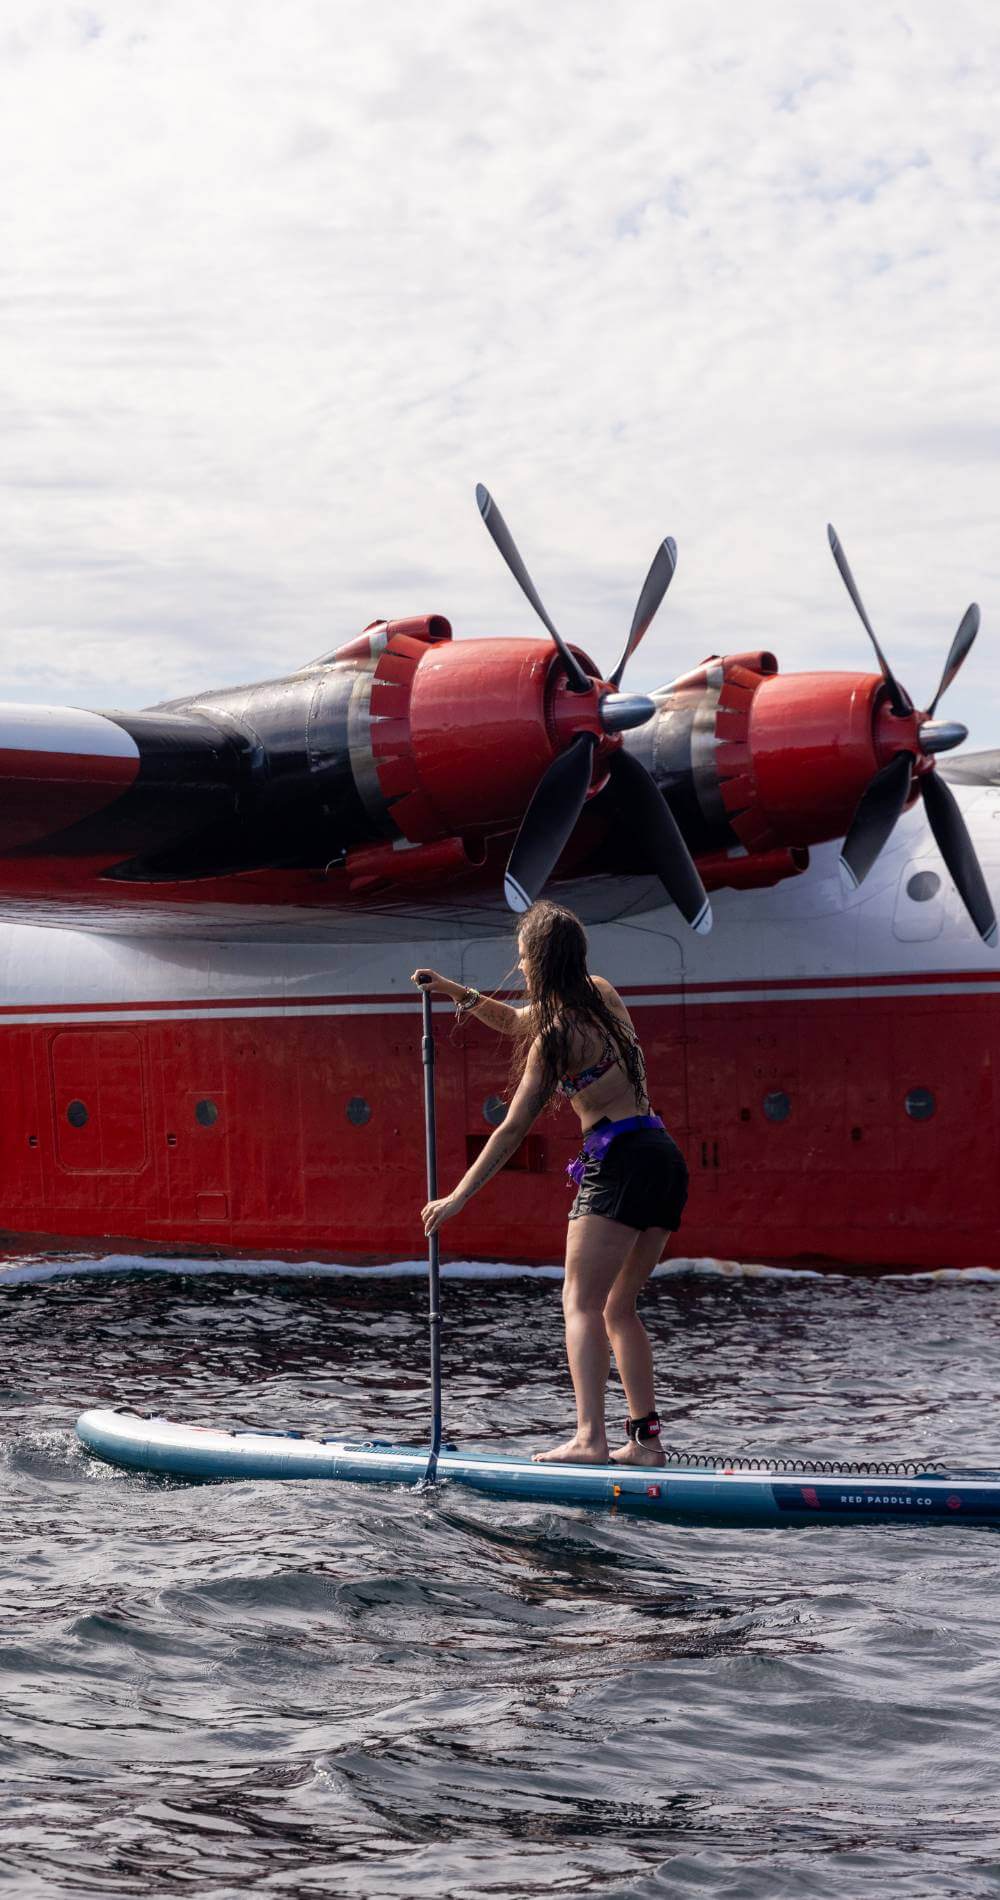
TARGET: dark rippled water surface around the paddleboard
(326,1690)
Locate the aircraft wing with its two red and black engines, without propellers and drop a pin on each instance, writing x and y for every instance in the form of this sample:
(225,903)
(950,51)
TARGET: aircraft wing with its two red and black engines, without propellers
(406,761)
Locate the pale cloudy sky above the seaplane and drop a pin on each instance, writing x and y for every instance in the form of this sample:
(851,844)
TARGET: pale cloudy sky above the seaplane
(280,284)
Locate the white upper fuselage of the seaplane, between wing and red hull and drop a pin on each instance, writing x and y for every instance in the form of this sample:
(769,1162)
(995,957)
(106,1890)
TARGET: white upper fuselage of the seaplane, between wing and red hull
(805,928)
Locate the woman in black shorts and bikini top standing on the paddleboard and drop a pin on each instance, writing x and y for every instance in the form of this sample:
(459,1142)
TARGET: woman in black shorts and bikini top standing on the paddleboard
(632,1179)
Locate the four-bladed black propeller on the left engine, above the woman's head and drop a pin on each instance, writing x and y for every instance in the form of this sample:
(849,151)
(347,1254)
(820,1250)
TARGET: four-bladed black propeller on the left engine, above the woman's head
(560,795)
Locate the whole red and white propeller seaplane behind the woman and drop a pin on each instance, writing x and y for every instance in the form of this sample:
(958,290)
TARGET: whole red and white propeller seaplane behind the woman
(214,909)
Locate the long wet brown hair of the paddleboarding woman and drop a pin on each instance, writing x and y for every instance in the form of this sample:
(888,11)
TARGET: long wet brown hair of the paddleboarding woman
(564,998)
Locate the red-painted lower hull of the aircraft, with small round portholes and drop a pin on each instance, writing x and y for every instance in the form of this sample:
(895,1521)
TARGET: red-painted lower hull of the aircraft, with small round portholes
(847,1177)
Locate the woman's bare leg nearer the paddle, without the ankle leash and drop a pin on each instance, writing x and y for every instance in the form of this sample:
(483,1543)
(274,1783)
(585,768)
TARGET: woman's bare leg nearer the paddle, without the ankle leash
(596,1255)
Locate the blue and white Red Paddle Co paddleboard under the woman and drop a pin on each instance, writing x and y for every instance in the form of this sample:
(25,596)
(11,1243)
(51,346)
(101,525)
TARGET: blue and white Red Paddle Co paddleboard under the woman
(742,1491)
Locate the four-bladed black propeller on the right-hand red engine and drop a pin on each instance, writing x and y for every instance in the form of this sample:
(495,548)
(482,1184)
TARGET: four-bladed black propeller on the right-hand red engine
(889,791)
